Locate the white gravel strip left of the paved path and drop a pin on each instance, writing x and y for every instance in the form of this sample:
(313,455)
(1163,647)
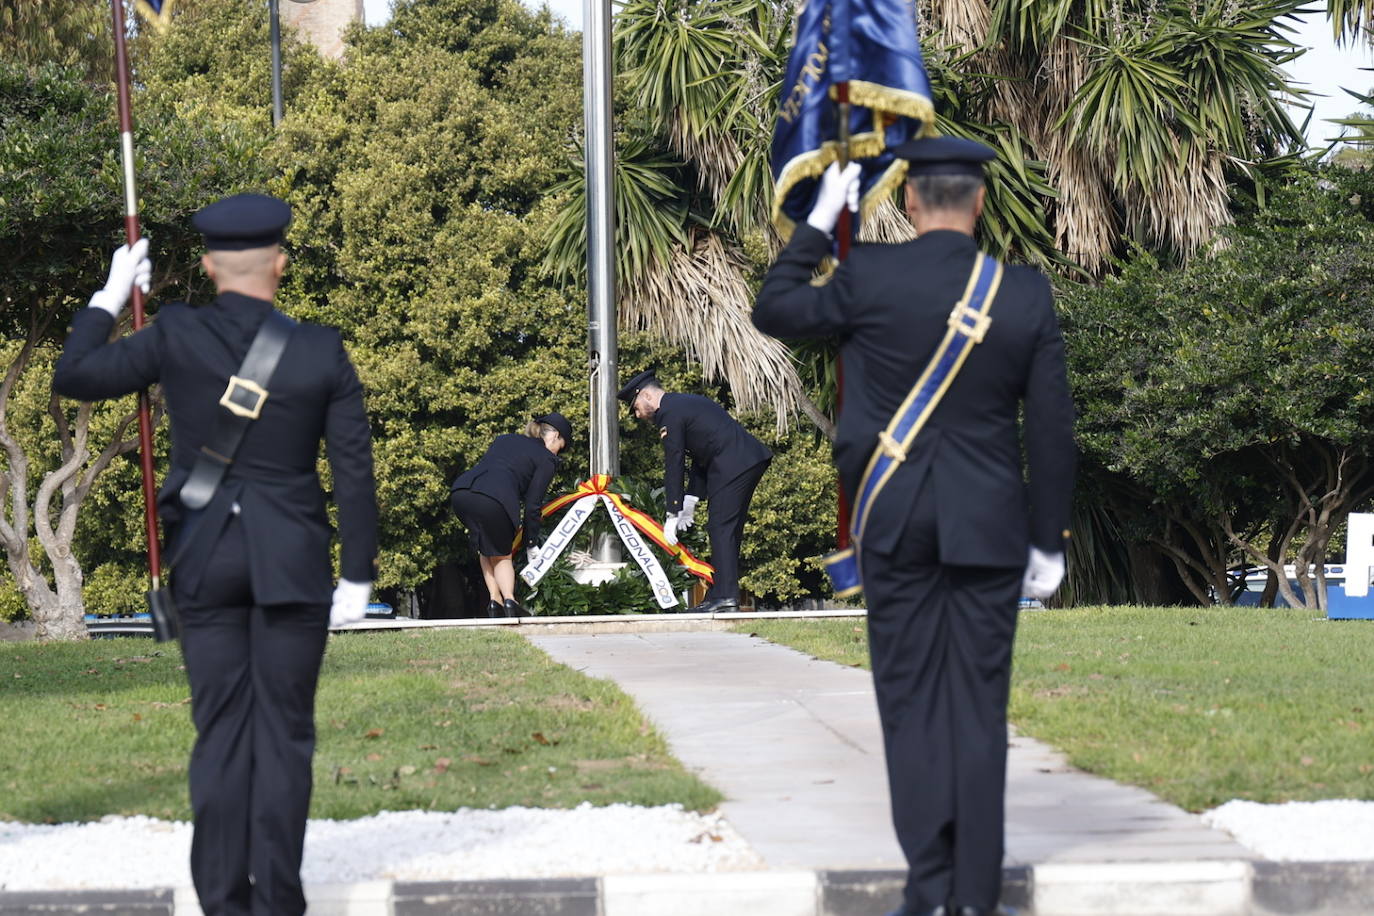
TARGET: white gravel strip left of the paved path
(469,844)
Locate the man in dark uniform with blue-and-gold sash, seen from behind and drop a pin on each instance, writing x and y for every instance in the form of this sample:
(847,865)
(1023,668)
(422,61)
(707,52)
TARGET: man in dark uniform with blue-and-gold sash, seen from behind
(957,535)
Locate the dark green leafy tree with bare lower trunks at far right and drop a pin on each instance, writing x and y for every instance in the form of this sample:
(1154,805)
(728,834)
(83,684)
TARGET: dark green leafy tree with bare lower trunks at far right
(1229,400)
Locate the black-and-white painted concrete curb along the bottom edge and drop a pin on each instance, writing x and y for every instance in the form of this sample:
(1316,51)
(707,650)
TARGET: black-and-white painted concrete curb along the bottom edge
(1093,889)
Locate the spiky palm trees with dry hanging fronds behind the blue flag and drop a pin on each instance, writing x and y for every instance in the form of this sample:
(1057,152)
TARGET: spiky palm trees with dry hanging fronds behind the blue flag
(1118,122)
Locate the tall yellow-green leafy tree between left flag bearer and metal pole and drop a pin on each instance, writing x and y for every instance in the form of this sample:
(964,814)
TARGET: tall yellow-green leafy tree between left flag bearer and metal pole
(417,175)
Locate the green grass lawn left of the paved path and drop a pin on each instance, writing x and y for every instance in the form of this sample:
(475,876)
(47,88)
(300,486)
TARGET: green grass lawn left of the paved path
(417,720)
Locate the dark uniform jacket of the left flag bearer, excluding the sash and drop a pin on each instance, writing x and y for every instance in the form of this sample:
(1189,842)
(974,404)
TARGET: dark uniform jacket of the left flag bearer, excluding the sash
(314,396)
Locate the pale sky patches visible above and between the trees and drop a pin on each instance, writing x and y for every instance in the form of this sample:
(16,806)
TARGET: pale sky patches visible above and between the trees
(1327,69)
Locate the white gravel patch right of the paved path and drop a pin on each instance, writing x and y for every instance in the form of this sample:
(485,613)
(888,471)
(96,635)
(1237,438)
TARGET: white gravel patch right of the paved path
(1332,832)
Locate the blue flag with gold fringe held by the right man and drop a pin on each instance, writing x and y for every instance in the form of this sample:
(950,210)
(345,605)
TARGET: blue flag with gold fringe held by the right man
(875,47)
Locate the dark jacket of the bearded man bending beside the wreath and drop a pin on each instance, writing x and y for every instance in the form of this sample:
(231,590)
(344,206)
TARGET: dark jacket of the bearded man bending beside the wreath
(721,448)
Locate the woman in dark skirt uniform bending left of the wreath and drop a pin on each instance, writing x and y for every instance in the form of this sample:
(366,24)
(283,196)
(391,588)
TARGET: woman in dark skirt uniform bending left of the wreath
(487,501)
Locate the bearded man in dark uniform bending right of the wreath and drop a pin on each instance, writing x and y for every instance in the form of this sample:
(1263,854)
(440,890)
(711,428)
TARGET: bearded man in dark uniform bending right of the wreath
(726,466)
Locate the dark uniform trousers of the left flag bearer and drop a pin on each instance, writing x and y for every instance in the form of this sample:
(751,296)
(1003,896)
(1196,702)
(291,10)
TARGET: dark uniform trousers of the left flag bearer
(254,672)
